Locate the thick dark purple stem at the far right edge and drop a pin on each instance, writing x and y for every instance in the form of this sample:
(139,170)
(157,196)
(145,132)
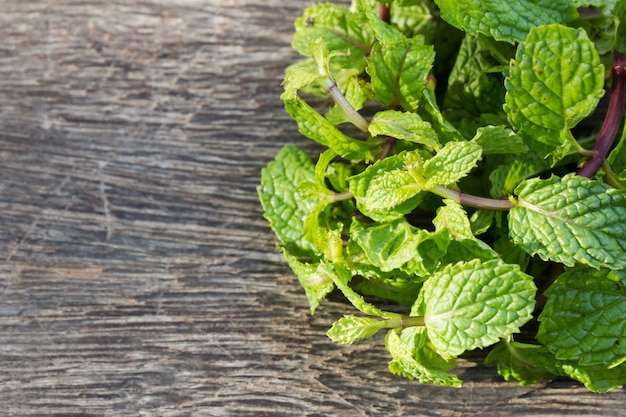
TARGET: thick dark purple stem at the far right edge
(612,120)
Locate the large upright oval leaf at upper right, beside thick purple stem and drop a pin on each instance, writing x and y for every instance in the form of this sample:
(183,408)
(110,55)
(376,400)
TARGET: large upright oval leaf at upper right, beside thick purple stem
(556,80)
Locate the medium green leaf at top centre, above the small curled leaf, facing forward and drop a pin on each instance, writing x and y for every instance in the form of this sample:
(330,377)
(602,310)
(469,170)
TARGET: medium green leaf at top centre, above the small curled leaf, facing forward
(398,68)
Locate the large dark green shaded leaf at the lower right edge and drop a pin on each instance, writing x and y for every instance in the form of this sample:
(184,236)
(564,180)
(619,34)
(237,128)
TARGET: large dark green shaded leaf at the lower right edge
(583,319)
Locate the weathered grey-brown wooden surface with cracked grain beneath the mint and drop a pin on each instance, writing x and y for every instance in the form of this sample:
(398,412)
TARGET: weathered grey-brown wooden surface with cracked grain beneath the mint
(137,275)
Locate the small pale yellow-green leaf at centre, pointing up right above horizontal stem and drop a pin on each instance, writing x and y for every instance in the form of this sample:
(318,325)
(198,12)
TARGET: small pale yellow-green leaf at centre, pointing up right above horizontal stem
(453,162)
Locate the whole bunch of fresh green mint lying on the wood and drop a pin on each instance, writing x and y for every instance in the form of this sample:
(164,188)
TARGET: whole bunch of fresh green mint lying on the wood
(462,171)
